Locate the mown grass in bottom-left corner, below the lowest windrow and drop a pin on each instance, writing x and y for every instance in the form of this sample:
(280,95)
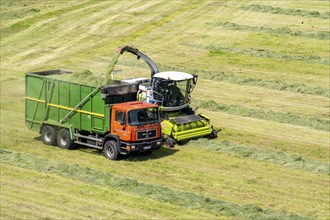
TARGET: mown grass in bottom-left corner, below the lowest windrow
(29,191)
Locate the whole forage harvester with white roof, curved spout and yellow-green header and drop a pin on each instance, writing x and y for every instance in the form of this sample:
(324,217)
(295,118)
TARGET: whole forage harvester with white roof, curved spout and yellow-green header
(172,90)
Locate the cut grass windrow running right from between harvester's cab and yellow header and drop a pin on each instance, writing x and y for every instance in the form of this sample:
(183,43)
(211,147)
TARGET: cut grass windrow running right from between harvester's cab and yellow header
(287,118)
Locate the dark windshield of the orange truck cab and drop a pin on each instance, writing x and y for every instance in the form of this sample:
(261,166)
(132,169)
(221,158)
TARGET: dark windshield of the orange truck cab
(143,116)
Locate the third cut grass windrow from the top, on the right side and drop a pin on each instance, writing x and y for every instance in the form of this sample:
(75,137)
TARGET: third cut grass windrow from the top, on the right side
(215,50)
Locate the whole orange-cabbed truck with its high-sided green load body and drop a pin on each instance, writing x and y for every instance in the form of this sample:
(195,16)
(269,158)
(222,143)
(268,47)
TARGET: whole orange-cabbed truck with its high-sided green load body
(67,113)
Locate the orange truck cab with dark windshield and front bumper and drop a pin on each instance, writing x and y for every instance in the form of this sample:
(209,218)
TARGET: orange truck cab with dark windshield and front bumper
(137,125)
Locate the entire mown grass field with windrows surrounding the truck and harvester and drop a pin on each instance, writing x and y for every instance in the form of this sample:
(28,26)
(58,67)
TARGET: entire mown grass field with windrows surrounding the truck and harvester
(263,71)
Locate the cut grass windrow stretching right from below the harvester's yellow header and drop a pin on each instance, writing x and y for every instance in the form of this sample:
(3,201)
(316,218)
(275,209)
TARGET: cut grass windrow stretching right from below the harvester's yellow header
(280,158)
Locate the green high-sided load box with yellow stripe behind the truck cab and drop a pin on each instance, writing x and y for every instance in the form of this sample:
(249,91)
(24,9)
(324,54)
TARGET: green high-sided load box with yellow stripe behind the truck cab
(64,104)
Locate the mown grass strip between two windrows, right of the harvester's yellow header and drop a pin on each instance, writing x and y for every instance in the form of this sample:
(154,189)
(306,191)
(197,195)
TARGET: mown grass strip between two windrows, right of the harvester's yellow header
(280,137)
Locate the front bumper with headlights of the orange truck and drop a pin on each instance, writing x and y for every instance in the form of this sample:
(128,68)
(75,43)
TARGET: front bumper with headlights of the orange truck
(128,147)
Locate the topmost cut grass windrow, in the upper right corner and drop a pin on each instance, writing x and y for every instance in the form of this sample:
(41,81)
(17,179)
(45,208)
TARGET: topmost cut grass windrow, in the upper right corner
(285,11)
